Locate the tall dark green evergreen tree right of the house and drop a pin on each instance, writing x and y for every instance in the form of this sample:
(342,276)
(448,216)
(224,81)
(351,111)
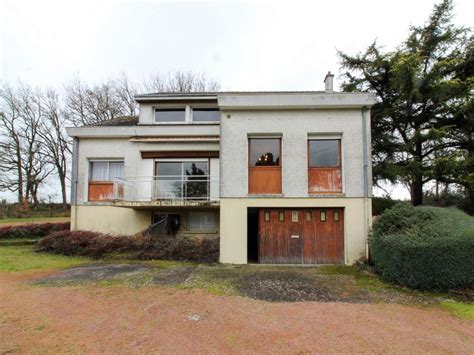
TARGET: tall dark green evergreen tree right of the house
(423,117)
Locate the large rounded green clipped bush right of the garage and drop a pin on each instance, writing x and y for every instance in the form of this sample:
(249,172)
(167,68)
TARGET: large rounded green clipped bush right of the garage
(424,247)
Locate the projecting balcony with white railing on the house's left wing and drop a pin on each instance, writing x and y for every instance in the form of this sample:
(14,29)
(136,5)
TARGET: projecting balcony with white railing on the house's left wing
(161,190)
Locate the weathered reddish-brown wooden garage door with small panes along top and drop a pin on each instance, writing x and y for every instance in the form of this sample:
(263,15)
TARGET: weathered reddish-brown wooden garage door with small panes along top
(301,236)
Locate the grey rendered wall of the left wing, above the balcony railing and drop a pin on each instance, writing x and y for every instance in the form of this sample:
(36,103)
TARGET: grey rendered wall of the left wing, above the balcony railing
(122,148)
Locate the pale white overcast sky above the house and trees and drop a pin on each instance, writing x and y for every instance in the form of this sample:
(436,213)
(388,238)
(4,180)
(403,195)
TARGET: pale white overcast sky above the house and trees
(252,45)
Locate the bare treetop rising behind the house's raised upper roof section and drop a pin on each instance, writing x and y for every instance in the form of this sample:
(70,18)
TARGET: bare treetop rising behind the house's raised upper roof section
(180,81)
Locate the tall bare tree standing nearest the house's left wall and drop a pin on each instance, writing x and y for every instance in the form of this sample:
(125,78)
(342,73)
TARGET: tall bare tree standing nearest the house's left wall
(56,145)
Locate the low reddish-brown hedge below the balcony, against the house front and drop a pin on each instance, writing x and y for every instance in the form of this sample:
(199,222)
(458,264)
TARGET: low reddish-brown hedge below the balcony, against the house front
(97,245)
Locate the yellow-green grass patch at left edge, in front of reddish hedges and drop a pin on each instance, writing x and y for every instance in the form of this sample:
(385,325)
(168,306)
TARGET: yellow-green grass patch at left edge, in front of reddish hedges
(23,258)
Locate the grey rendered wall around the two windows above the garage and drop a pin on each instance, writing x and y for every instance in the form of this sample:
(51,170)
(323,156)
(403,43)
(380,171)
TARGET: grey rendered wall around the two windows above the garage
(294,126)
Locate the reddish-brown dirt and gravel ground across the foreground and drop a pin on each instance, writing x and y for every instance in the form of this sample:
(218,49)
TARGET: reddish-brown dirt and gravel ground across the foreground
(88,318)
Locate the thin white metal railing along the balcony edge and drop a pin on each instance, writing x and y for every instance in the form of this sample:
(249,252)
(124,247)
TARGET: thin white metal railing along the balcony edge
(167,187)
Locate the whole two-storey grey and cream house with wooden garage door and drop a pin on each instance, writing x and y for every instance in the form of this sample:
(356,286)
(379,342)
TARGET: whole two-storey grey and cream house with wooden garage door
(279,177)
